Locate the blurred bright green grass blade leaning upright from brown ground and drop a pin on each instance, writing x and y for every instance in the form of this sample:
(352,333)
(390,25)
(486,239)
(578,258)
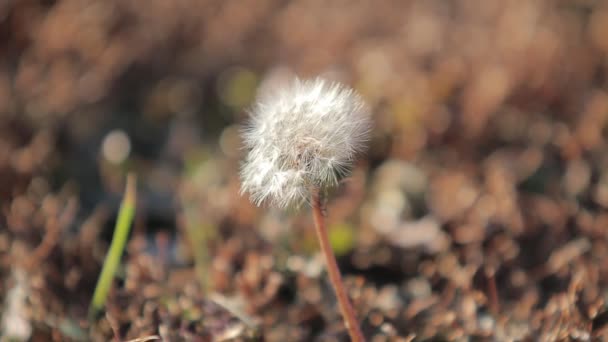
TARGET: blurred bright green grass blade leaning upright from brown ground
(119,239)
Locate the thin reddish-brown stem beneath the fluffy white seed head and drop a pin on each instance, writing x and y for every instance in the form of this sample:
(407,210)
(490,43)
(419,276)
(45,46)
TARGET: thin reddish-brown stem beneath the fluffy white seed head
(334,272)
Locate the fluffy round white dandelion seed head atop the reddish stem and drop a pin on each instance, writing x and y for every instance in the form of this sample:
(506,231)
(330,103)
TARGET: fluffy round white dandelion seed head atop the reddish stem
(301,136)
